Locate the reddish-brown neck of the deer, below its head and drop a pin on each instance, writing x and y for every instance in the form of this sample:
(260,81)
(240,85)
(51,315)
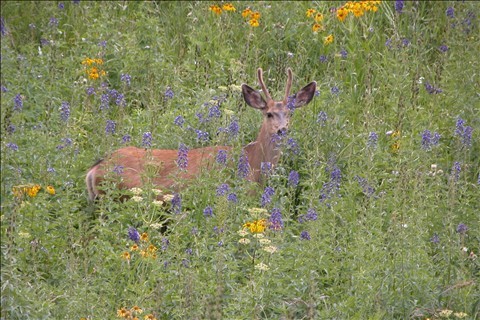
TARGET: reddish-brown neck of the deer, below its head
(264,149)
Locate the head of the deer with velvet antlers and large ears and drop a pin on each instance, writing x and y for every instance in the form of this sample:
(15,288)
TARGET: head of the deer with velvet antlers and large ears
(276,114)
